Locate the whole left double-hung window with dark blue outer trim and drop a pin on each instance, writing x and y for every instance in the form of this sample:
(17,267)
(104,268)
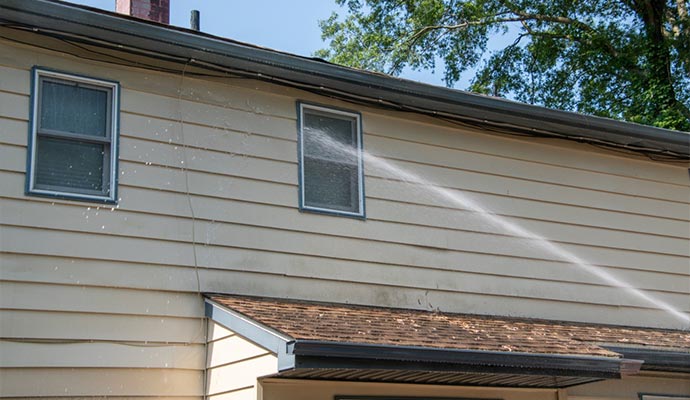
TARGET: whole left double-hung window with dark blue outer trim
(73,138)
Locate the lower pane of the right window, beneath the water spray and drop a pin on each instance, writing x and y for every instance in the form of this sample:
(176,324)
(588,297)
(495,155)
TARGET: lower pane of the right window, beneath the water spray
(330,185)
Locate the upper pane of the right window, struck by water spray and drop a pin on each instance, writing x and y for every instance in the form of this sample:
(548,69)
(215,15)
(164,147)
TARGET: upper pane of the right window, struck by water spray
(330,138)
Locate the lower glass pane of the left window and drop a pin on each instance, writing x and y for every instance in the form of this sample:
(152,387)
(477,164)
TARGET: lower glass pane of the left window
(69,164)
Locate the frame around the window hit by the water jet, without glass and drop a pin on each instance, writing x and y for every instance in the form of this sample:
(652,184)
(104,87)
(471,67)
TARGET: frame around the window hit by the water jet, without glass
(332,112)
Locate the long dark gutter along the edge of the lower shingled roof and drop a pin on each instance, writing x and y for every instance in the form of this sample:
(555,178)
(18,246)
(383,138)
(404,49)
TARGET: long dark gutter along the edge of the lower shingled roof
(319,354)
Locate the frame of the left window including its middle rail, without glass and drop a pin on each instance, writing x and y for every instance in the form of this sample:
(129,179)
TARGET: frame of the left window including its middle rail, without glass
(110,140)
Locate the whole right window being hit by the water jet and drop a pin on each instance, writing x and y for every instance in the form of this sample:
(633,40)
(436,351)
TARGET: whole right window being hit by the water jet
(330,144)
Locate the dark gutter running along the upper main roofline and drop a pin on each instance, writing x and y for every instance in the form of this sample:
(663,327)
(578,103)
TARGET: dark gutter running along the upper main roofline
(332,79)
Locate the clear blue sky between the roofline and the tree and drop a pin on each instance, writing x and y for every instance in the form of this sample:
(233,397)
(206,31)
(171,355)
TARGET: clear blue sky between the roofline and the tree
(286,25)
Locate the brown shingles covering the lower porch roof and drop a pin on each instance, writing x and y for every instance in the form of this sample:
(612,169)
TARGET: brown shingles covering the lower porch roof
(419,328)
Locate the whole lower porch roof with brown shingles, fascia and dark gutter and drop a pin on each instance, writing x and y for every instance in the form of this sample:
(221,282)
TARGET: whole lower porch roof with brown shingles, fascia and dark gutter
(337,339)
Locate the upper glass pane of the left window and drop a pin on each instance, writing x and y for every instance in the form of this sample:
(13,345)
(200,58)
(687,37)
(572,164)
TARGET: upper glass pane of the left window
(70,108)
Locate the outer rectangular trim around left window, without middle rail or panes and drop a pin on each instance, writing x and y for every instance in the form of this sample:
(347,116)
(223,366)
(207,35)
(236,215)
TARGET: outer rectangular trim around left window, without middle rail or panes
(114,87)
